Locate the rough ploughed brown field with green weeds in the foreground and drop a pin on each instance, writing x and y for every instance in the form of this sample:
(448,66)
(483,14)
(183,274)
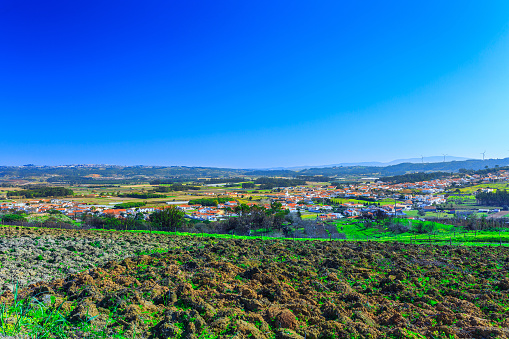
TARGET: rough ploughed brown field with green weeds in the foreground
(225,287)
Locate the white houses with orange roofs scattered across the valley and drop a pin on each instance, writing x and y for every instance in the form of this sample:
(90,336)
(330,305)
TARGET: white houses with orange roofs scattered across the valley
(425,195)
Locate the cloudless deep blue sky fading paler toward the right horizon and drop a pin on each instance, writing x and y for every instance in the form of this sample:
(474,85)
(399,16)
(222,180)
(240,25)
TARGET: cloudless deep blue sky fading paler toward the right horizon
(251,83)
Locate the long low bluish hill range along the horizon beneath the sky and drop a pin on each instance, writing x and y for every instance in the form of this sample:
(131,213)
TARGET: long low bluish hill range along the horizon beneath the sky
(111,174)
